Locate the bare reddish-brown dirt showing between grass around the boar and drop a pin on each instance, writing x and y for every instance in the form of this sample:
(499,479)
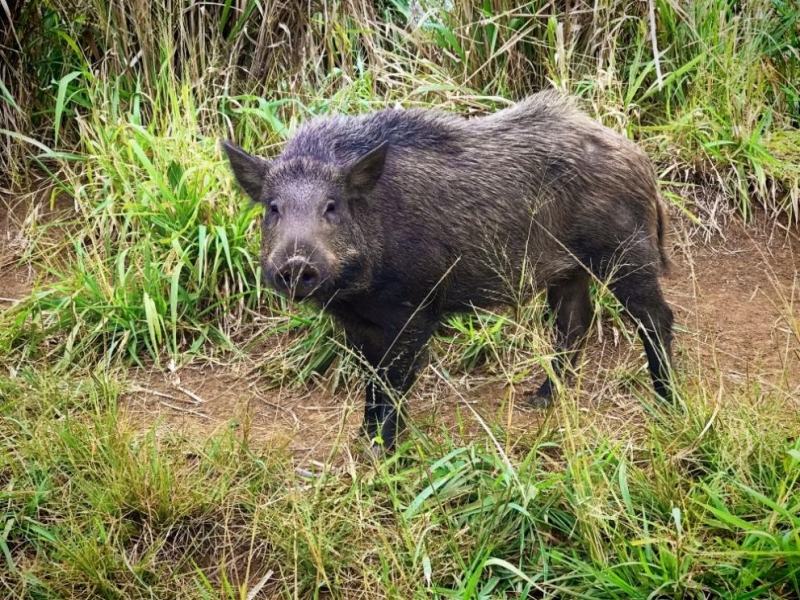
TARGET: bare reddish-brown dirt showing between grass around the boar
(737,305)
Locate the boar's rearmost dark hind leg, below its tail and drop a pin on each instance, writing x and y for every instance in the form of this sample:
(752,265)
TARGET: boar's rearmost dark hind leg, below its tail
(641,296)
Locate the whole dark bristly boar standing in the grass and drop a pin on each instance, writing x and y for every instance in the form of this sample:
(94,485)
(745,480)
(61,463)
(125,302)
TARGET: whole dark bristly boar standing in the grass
(392,219)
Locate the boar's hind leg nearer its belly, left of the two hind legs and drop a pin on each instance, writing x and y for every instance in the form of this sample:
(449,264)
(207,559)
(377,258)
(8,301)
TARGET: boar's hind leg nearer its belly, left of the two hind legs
(569,300)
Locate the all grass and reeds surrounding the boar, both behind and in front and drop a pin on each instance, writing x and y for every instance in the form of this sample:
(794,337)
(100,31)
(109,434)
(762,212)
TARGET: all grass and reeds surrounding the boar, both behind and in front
(145,260)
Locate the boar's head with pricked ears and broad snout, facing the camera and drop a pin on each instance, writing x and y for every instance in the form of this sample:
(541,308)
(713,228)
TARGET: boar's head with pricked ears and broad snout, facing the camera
(318,239)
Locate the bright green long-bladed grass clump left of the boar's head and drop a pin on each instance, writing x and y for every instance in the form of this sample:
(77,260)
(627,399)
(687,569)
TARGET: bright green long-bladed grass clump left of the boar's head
(157,248)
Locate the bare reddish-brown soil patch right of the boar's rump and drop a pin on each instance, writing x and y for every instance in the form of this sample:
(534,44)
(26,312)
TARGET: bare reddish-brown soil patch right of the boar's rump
(737,300)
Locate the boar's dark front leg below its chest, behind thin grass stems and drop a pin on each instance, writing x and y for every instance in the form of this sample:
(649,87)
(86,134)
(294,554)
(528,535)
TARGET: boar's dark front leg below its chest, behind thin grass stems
(393,350)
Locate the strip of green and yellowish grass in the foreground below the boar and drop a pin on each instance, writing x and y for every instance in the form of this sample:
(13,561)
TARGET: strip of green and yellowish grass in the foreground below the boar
(703,505)
